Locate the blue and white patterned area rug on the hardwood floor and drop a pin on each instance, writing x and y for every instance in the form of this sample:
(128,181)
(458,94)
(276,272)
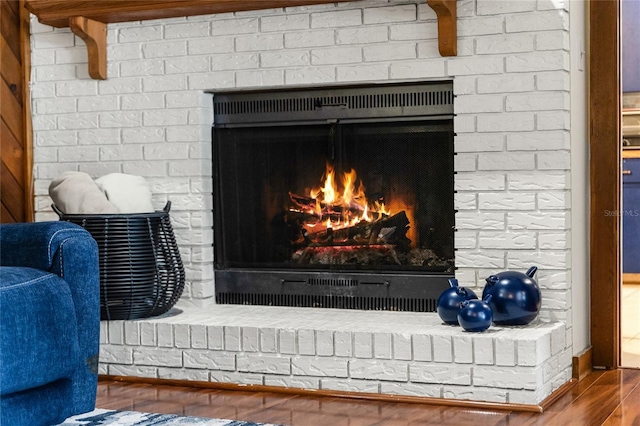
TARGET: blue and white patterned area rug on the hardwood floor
(100,417)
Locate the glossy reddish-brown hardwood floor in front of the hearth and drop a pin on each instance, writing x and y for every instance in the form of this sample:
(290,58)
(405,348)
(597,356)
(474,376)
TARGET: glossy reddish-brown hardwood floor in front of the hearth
(602,398)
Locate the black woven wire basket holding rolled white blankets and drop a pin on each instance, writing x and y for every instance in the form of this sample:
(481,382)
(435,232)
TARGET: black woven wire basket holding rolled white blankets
(141,271)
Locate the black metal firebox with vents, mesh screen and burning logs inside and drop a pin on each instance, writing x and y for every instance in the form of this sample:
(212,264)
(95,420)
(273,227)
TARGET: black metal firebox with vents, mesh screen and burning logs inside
(336,197)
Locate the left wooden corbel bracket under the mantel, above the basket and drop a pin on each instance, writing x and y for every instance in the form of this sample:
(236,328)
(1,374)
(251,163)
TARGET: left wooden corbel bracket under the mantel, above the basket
(94,34)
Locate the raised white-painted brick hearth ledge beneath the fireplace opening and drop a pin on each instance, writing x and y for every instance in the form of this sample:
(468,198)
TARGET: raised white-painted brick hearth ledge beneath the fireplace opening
(370,352)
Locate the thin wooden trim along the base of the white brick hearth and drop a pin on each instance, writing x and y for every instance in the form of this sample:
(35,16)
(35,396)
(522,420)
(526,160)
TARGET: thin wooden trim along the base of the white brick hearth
(447,402)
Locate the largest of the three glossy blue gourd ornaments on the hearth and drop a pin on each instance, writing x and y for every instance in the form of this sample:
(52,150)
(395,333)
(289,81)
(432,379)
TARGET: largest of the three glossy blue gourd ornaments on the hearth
(515,297)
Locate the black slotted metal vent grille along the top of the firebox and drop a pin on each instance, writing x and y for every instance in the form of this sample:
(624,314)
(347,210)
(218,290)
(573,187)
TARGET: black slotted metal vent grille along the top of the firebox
(423,100)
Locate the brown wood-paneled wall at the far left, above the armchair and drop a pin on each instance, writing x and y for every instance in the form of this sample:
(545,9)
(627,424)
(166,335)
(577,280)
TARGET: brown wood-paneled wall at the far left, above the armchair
(16,192)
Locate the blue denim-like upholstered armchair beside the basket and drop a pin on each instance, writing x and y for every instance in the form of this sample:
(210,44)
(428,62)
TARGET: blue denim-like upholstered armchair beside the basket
(49,322)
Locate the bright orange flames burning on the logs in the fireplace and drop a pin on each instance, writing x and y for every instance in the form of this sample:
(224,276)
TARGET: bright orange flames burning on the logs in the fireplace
(337,210)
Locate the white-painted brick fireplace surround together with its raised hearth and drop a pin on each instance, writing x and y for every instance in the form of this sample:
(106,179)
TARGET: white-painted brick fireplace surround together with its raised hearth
(520,197)
